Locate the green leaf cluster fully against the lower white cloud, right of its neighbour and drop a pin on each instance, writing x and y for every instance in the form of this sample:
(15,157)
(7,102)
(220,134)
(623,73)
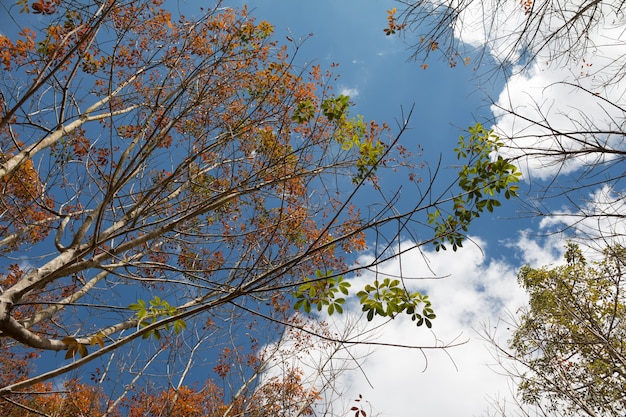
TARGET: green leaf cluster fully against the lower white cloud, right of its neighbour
(389,298)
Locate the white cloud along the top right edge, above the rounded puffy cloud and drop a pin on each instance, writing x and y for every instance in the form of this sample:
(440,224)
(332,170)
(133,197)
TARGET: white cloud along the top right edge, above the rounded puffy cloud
(498,25)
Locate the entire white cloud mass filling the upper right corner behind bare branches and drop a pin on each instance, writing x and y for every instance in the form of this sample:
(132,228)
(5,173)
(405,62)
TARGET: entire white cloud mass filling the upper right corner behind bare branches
(540,97)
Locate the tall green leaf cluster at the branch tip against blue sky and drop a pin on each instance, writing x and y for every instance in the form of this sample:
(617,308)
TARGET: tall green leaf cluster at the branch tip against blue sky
(482,181)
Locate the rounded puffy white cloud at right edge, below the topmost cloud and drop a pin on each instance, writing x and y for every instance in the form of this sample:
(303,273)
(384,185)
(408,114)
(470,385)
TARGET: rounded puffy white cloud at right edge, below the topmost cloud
(543,100)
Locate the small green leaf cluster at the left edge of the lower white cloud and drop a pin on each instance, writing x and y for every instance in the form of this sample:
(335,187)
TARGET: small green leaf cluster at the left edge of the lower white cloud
(322,291)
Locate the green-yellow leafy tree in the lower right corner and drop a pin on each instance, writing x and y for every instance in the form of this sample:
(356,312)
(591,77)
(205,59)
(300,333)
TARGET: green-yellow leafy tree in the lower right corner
(569,344)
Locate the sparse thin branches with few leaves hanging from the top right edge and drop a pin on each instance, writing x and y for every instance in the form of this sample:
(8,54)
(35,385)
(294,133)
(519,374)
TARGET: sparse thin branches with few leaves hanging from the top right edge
(512,33)
